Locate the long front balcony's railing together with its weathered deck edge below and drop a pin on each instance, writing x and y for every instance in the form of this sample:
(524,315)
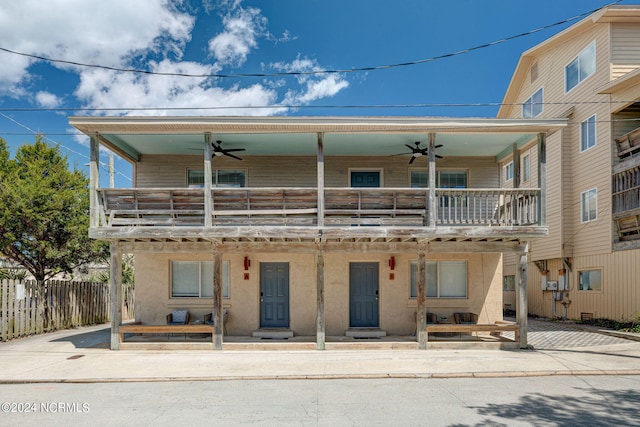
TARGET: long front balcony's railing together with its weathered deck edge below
(299,212)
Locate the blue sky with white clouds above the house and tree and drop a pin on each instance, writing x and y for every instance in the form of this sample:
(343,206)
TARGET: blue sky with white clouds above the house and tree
(257,36)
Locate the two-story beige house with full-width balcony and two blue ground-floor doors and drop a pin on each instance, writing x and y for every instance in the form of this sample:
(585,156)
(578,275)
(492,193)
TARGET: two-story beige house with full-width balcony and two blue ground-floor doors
(319,226)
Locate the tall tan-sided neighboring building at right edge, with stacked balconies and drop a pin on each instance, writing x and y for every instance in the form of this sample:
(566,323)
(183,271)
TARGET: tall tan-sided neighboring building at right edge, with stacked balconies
(590,74)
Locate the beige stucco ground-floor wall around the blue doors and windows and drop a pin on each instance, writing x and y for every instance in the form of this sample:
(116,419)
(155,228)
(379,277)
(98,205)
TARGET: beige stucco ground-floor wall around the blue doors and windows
(397,309)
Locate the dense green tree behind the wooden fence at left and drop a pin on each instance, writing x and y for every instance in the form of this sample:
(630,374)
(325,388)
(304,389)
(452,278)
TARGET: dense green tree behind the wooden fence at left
(44,211)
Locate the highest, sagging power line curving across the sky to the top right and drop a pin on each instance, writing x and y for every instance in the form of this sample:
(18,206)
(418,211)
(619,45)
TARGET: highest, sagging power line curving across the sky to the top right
(312,72)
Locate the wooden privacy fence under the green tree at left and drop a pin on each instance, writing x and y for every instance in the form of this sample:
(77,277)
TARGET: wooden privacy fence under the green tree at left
(26,309)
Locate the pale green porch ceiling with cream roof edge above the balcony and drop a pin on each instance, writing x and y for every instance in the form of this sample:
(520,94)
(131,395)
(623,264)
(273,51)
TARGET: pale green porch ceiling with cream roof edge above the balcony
(353,136)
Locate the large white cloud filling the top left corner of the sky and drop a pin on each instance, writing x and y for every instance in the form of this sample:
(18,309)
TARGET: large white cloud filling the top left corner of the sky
(85,31)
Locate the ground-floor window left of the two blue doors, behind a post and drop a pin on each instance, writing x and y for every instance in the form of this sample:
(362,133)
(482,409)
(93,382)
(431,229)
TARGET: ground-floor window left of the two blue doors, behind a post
(194,279)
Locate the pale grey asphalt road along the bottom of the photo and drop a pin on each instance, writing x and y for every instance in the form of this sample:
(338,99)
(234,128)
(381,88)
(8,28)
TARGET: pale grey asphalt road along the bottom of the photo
(536,401)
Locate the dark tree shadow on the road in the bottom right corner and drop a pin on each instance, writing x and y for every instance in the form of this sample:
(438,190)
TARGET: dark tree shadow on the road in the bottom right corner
(592,408)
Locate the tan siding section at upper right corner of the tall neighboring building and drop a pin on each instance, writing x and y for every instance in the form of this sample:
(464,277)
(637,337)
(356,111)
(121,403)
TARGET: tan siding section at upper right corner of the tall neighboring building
(625,48)
